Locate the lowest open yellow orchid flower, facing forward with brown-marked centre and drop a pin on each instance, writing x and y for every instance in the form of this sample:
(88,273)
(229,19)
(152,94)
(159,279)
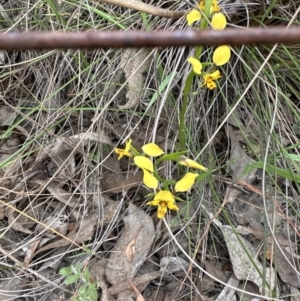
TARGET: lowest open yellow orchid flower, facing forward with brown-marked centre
(164,199)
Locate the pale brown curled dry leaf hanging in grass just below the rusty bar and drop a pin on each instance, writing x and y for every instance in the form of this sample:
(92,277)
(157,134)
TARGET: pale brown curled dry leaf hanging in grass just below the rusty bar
(134,63)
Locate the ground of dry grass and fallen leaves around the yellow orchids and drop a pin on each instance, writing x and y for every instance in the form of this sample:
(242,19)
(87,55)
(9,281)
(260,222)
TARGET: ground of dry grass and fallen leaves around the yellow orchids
(68,202)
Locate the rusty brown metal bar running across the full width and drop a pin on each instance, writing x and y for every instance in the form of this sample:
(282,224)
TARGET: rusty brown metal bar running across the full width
(138,39)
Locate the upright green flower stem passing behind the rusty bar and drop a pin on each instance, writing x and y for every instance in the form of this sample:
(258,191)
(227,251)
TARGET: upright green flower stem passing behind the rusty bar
(189,80)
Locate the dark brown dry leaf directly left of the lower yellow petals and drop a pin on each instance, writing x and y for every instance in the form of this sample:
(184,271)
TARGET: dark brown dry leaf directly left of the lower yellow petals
(117,182)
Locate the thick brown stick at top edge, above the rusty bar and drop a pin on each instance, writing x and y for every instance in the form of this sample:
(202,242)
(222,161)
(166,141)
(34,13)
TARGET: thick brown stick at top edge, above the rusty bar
(147,8)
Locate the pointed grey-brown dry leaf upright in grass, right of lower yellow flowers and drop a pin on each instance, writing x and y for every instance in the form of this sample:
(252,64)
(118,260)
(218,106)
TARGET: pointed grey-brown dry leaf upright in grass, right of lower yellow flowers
(239,160)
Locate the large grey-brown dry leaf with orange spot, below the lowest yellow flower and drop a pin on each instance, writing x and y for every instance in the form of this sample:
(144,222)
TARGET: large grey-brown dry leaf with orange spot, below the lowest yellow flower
(136,221)
